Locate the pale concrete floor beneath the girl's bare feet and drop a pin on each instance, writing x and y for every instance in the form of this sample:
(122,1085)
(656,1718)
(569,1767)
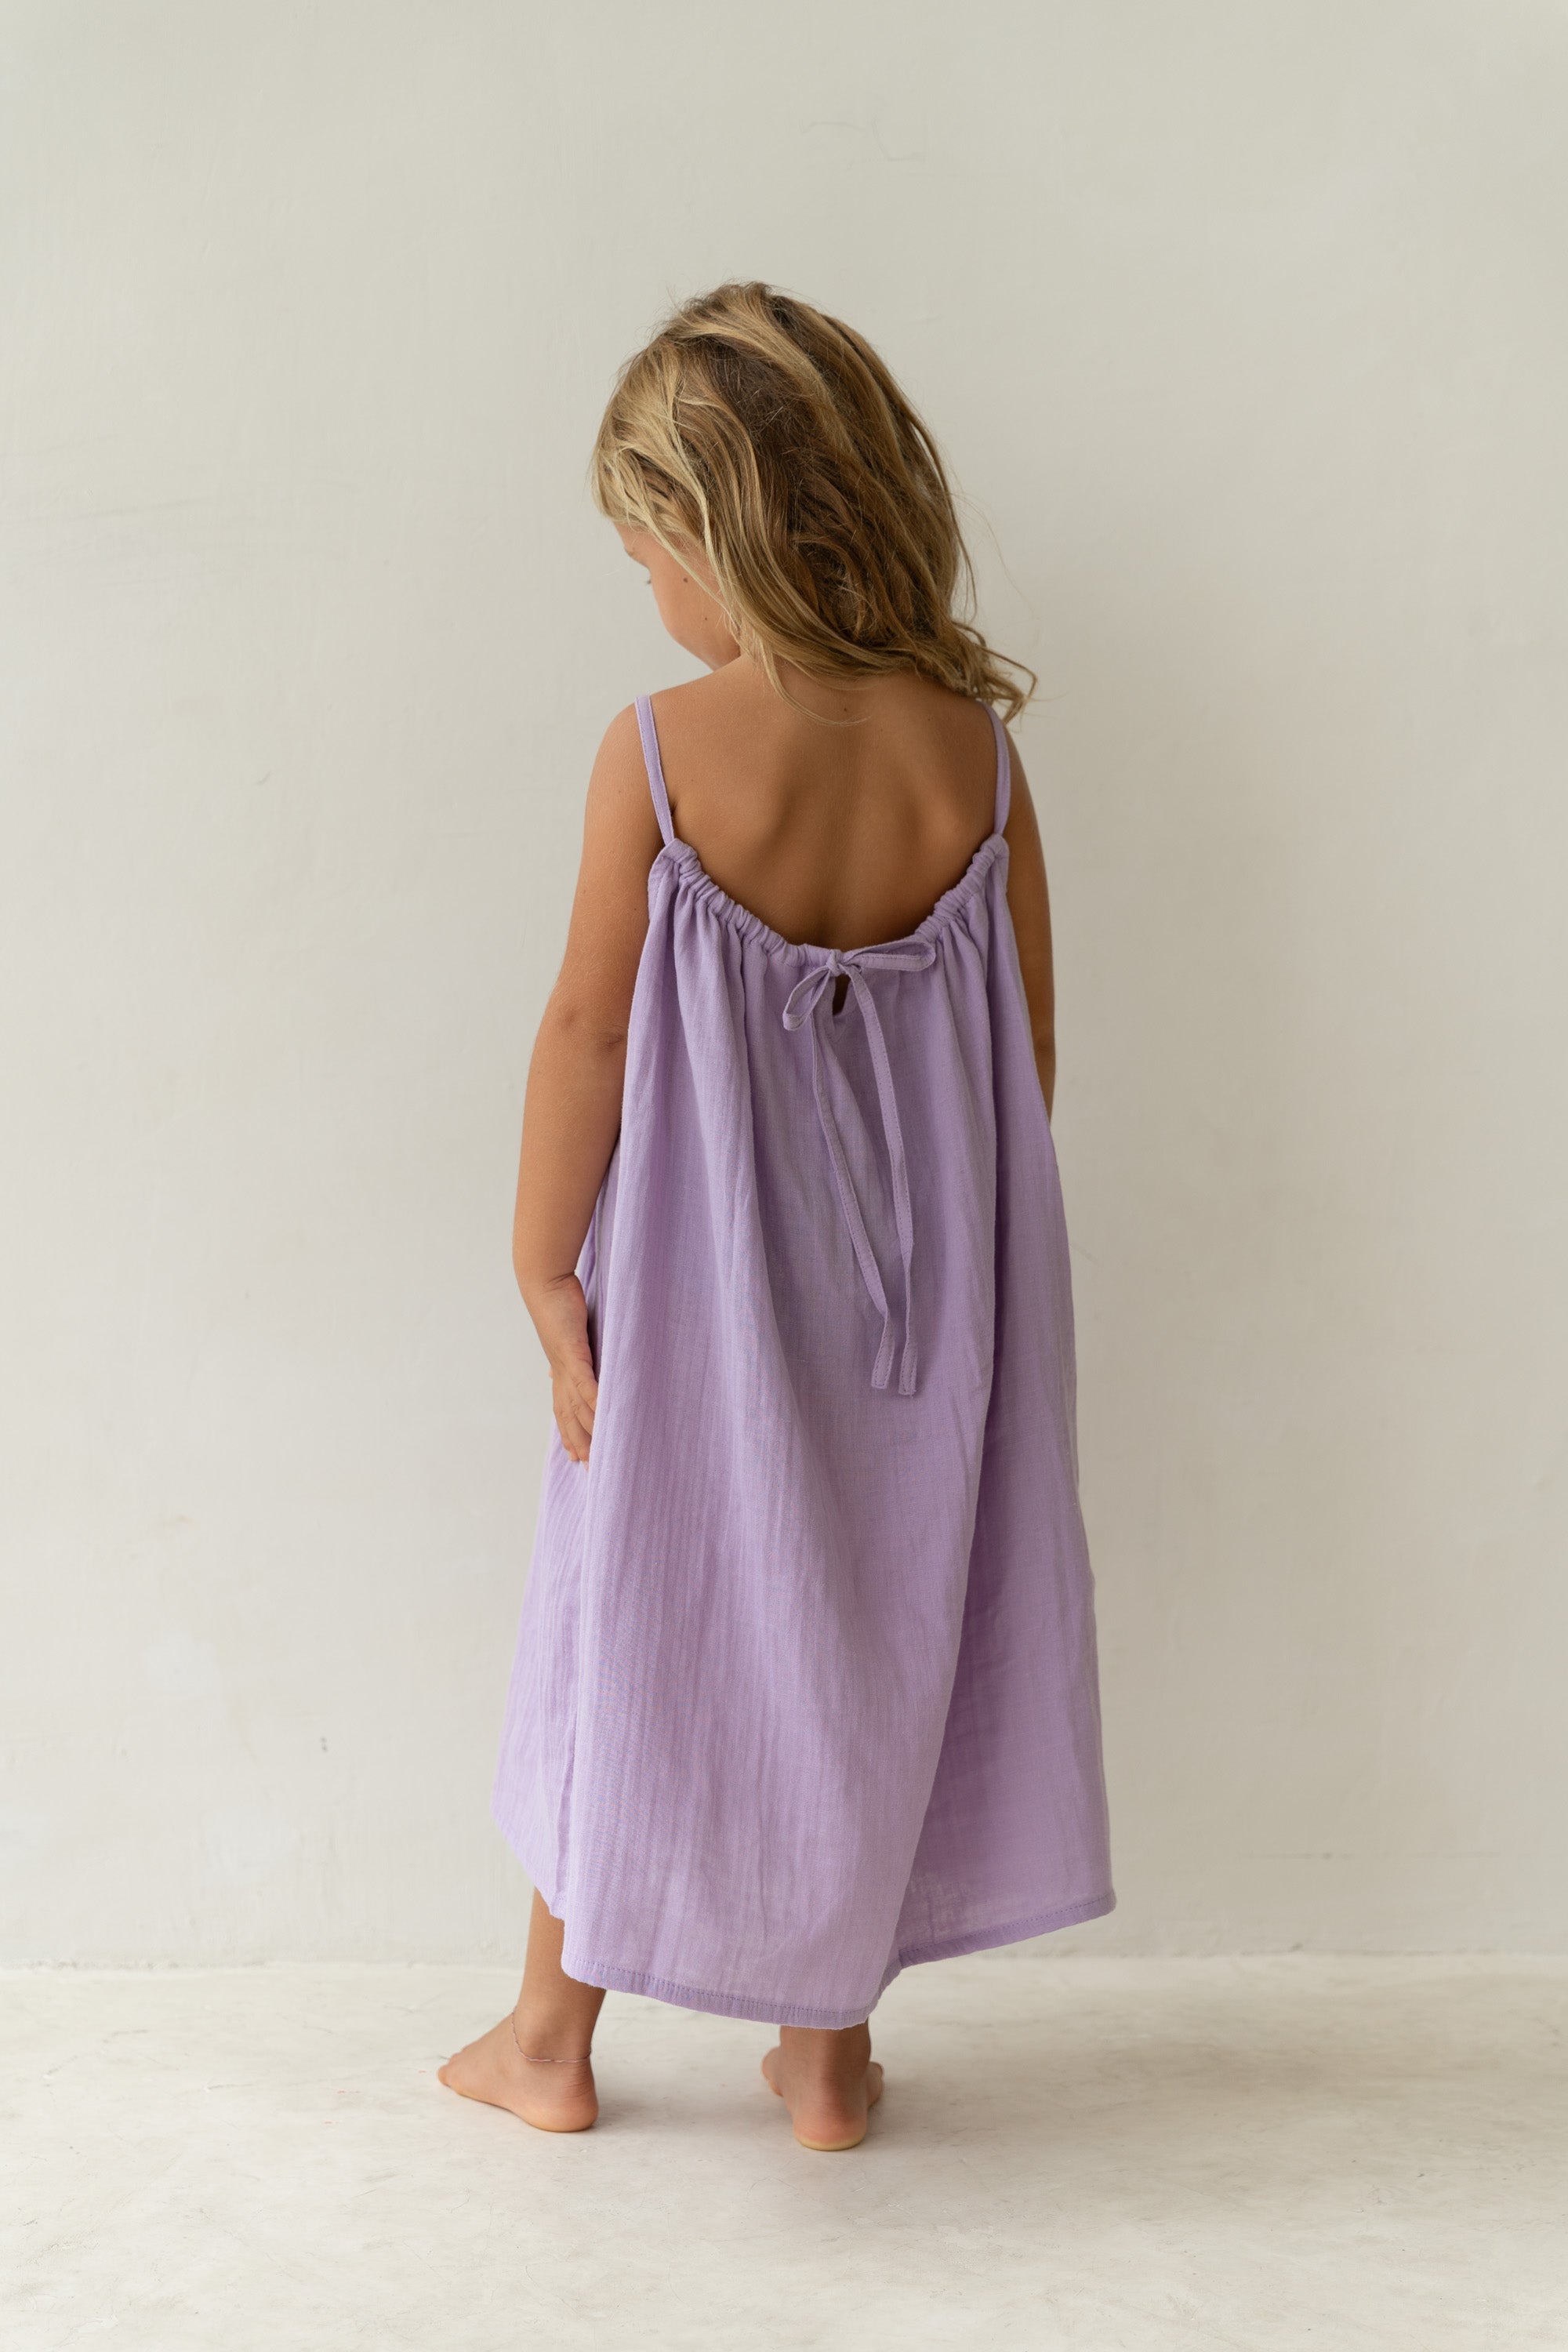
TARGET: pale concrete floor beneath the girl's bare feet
(1111,2156)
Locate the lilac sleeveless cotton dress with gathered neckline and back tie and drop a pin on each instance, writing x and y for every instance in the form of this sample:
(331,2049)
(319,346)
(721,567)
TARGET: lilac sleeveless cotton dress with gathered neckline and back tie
(805,1688)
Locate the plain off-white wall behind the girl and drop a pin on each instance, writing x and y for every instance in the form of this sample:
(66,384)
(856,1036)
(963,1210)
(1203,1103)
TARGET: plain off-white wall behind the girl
(1245,328)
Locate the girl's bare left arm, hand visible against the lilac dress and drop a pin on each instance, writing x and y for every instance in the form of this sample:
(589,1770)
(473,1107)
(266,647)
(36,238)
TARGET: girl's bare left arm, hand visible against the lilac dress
(572,1107)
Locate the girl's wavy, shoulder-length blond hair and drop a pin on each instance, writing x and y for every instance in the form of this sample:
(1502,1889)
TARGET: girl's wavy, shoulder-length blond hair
(772,439)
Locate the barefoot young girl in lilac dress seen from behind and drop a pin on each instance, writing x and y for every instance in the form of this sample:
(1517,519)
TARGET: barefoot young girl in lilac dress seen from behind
(808,1681)
